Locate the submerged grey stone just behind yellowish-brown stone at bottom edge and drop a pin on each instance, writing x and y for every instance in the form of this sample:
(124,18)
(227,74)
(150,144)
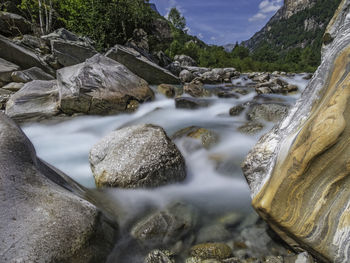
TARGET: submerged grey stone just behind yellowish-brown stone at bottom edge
(213,233)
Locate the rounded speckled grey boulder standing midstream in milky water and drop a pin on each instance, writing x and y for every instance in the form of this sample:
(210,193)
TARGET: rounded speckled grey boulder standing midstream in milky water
(137,156)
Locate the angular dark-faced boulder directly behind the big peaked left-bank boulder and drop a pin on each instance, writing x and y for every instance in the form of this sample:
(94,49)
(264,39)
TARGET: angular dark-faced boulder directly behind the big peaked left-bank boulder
(68,48)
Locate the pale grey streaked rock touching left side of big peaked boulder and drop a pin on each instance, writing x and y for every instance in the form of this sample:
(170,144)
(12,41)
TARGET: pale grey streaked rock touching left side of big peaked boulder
(36,100)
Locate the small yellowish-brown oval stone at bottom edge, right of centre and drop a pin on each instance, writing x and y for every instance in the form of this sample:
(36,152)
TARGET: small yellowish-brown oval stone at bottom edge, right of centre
(211,251)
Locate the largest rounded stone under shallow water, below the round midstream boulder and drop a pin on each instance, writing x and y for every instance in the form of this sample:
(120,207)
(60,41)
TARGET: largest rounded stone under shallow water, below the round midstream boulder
(165,226)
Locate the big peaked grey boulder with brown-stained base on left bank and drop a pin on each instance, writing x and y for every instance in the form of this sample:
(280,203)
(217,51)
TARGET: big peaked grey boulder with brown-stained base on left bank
(100,86)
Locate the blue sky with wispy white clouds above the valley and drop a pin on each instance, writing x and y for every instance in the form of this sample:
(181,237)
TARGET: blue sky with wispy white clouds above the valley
(222,21)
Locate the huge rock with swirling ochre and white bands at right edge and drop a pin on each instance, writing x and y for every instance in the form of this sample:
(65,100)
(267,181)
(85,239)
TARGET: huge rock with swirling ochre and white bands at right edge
(299,172)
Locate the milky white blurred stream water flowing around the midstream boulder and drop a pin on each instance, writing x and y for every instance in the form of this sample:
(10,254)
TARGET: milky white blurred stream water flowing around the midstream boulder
(214,183)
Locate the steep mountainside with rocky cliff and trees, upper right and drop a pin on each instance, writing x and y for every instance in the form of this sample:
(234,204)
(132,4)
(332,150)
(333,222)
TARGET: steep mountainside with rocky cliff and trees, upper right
(298,24)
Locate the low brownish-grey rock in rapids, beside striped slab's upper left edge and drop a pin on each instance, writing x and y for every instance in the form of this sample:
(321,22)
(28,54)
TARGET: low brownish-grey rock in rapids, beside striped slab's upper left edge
(267,112)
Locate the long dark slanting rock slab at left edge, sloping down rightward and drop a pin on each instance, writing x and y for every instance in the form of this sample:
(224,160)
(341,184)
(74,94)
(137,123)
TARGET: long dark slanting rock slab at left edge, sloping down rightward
(21,56)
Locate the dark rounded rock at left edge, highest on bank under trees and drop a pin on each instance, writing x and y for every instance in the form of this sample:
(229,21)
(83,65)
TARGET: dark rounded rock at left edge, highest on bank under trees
(13,25)
